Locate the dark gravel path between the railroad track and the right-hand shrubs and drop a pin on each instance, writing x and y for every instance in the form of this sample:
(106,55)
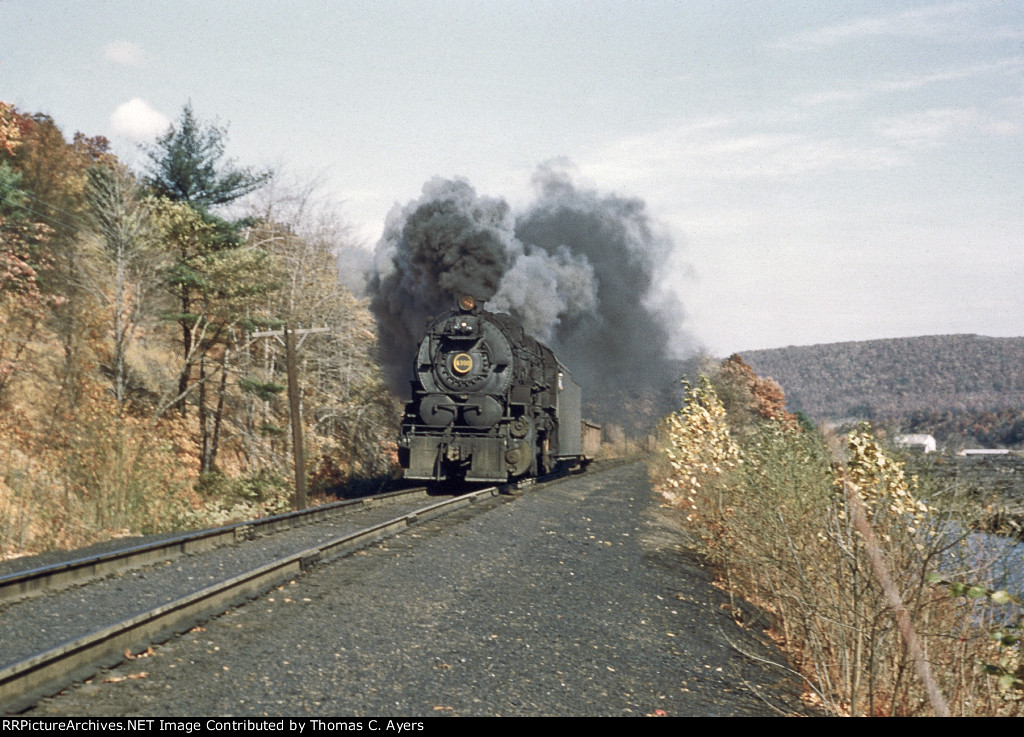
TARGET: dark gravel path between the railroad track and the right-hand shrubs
(578,599)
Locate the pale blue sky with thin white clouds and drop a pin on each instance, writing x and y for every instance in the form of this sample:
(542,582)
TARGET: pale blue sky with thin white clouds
(829,171)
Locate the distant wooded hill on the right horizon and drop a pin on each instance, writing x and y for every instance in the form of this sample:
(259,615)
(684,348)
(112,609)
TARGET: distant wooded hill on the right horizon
(958,380)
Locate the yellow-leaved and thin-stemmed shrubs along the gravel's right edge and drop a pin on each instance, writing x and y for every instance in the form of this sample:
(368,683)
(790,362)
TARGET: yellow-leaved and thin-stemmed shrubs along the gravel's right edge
(775,511)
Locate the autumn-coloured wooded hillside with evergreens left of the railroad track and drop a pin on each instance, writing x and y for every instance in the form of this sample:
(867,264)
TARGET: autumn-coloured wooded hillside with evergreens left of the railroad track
(135,395)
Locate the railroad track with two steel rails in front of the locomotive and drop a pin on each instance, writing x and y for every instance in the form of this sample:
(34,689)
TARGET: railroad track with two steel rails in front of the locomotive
(145,595)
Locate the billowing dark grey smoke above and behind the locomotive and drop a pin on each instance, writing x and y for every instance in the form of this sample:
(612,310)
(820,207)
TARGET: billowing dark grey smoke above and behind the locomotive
(578,269)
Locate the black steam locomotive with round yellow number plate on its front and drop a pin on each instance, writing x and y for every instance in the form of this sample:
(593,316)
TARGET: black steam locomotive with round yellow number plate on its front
(490,404)
